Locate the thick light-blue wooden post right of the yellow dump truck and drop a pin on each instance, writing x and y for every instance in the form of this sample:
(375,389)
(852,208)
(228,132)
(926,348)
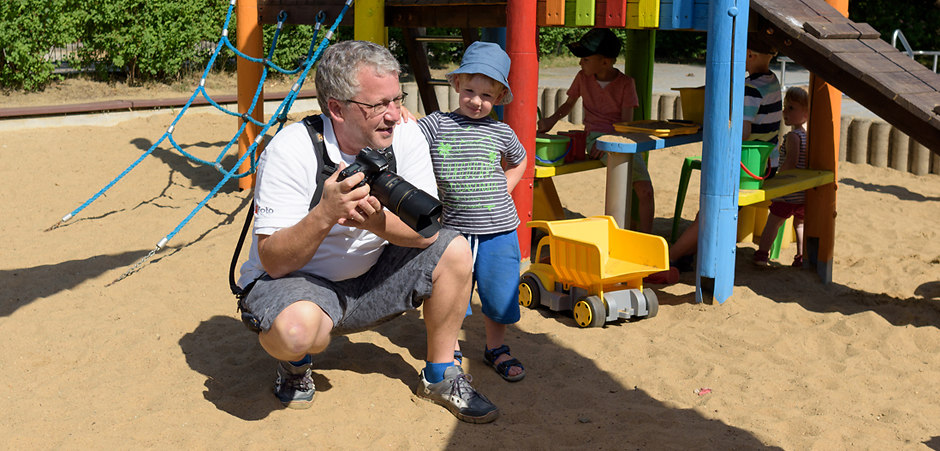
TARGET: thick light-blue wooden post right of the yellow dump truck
(721,149)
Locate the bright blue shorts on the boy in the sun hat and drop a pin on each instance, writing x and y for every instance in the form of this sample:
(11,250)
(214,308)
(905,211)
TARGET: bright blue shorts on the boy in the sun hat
(496,274)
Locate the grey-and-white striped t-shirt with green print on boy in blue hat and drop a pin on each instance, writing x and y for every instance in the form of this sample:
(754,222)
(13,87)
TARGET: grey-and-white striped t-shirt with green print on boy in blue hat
(467,155)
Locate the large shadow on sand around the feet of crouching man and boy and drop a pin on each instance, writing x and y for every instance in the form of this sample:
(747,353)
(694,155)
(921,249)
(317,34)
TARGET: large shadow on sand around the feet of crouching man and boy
(239,376)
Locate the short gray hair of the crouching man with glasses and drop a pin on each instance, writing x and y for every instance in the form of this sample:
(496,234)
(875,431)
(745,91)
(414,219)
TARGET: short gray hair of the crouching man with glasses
(338,70)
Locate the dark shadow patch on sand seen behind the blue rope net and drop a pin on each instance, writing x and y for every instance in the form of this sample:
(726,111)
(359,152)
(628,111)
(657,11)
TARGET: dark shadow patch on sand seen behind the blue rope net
(201,175)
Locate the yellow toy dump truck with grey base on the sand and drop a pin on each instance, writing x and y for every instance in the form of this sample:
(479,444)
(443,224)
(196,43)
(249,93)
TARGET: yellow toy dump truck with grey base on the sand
(593,268)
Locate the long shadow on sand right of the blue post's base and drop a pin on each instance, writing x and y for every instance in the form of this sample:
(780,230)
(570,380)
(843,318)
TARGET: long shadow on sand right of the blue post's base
(783,284)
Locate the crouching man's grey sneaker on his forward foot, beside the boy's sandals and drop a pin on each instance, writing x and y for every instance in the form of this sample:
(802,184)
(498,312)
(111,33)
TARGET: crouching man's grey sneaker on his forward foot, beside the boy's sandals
(456,394)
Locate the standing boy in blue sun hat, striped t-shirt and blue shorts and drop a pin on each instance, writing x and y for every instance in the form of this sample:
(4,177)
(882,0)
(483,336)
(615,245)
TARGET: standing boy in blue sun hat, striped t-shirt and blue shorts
(478,161)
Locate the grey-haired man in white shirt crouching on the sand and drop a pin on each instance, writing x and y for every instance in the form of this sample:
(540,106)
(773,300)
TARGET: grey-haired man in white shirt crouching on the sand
(346,263)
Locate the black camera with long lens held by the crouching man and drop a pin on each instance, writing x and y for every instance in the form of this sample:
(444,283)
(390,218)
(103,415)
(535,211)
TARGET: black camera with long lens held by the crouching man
(418,209)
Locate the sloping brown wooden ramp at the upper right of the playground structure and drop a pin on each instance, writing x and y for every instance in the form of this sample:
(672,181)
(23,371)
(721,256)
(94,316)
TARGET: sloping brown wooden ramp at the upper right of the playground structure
(852,57)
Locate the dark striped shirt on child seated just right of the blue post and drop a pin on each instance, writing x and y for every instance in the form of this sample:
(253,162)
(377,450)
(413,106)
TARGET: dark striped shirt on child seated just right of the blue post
(763,108)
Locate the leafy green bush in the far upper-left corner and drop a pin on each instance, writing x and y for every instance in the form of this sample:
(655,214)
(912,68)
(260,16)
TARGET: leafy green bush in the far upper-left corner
(28,30)
